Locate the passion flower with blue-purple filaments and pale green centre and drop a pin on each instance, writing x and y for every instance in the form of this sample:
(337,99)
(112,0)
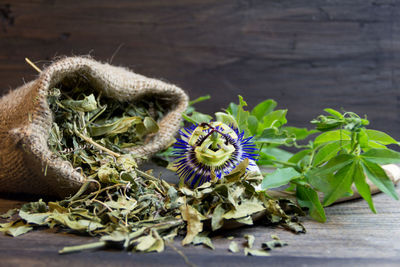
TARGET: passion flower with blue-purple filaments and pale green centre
(211,149)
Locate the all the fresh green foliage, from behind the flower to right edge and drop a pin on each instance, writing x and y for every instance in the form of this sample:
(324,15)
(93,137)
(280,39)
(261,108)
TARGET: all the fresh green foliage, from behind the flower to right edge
(343,154)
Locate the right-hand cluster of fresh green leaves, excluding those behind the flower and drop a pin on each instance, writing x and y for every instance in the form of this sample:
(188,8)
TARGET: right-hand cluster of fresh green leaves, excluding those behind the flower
(343,157)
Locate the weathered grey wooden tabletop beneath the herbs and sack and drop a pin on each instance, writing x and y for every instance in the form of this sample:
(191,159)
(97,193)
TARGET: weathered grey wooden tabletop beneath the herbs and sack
(352,236)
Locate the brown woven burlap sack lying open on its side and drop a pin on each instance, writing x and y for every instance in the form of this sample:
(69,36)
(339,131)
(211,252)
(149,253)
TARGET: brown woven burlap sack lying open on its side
(25,121)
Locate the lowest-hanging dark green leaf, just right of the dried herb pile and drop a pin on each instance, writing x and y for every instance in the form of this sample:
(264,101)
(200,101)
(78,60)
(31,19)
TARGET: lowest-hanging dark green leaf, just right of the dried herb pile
(308,197)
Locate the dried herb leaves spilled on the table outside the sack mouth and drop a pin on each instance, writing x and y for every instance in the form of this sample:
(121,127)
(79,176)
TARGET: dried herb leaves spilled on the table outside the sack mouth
(141,213)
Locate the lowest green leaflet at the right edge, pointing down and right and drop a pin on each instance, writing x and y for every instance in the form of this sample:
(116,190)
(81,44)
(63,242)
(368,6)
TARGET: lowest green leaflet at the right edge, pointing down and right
(378,176)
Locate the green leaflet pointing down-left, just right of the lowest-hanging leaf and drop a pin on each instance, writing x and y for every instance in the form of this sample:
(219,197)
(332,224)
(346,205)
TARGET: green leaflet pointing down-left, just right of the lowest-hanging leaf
(339,184)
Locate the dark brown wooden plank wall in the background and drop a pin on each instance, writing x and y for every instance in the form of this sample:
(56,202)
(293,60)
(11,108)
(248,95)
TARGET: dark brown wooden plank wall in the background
(306,54)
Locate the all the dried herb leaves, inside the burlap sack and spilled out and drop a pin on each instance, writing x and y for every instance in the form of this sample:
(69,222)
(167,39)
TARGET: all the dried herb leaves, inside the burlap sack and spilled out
(129,208)
